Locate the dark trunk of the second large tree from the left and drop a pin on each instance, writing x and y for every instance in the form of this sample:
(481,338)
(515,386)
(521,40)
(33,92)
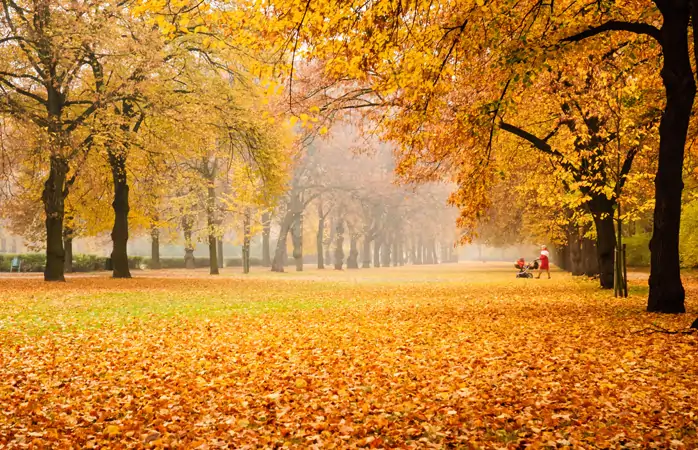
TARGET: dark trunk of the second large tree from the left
(120,204)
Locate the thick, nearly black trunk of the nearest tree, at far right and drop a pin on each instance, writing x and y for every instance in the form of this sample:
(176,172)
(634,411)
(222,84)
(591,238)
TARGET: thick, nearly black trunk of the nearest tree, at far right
(666,292)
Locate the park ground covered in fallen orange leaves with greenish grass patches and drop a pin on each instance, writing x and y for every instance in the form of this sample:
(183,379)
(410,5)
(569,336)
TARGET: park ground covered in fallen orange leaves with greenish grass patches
(453,356)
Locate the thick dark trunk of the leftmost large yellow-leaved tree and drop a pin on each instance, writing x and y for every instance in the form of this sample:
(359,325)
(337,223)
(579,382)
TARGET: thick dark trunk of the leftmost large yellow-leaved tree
(53,198)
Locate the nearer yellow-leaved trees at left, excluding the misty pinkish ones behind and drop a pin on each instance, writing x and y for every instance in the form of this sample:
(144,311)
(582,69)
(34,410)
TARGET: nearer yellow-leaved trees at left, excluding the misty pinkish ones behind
(96,104)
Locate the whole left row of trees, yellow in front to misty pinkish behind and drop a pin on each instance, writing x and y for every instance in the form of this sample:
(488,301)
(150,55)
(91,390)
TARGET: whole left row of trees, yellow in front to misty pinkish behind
(110,126)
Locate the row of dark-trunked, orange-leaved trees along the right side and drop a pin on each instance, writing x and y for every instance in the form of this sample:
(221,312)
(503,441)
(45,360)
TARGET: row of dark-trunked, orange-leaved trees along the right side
(460,86)
